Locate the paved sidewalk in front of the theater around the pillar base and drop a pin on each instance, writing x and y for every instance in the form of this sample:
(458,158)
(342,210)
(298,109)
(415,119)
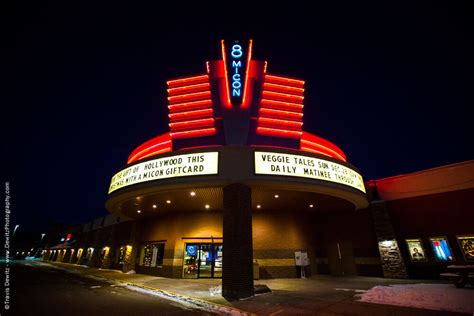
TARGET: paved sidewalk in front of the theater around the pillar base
(318,295)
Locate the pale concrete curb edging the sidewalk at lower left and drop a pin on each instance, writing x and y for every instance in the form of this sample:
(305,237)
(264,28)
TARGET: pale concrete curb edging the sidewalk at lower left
(172,296)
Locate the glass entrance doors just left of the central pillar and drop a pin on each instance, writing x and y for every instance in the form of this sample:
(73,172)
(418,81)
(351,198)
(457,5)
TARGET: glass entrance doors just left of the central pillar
(202,260)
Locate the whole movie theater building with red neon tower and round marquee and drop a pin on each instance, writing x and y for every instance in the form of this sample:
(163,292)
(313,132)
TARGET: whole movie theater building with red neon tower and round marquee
(237,189)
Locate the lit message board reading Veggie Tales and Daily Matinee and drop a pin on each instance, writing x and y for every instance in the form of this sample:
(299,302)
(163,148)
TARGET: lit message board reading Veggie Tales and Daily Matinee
(271,163)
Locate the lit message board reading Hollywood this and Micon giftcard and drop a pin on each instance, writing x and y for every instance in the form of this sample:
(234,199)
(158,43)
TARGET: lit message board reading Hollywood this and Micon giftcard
(168,167)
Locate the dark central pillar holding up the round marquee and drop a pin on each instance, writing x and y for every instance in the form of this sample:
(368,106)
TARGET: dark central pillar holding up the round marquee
(237,259)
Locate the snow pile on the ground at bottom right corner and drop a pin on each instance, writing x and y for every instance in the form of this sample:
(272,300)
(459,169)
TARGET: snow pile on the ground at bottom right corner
(442,297)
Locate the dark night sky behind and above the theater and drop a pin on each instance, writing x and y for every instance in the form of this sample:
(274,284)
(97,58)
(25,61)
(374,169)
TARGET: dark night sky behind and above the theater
(392,85)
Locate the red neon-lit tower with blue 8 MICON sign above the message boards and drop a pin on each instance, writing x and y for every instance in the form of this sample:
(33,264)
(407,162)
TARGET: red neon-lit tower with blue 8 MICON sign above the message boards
(236,102)
